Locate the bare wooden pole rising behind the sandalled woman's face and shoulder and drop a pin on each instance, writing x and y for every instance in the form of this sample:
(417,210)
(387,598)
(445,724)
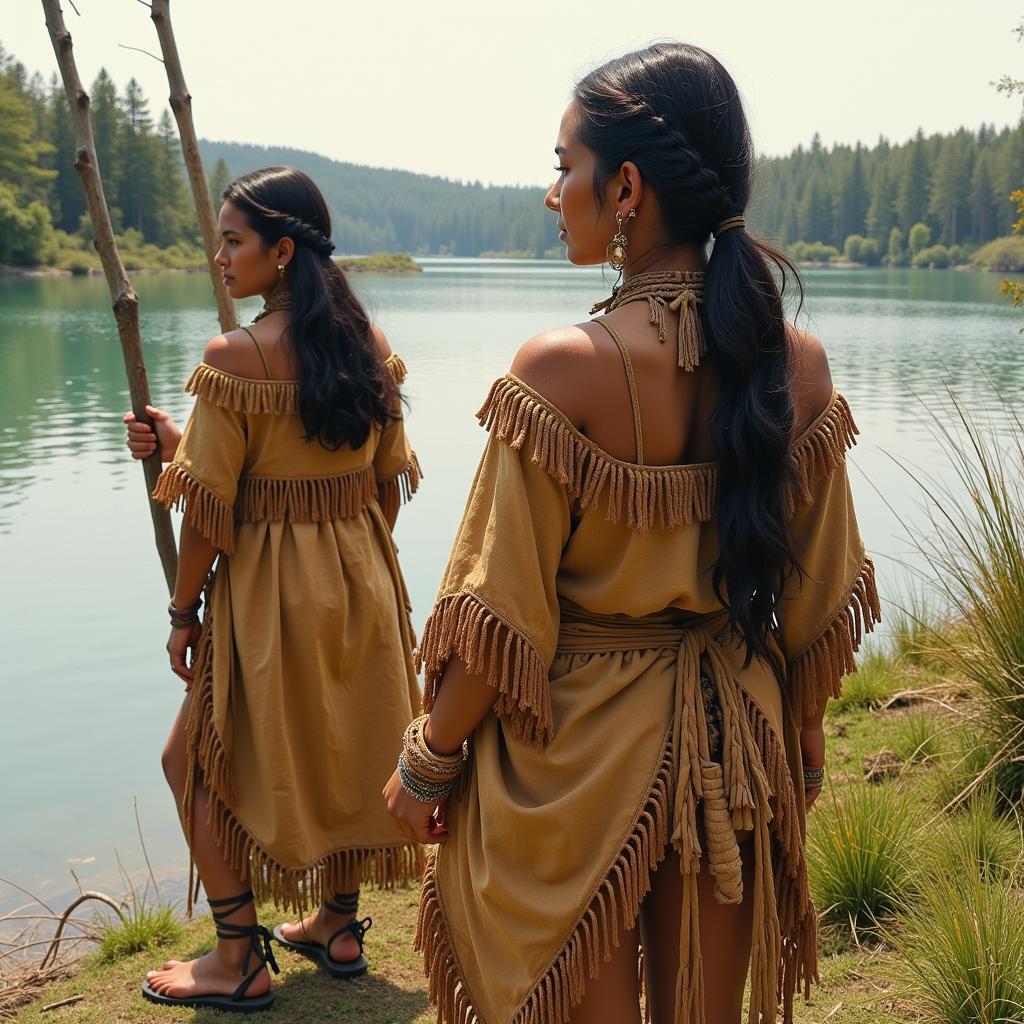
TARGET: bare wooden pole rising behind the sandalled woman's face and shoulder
(181,101)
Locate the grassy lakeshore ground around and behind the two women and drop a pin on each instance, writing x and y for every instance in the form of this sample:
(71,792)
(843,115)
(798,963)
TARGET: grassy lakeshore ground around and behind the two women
(901,724)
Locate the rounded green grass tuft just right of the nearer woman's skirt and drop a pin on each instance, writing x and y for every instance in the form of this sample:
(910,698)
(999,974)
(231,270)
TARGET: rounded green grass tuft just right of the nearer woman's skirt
(864,851)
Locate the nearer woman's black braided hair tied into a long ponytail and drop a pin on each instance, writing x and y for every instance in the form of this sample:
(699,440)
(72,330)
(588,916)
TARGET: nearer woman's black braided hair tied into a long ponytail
(674,111)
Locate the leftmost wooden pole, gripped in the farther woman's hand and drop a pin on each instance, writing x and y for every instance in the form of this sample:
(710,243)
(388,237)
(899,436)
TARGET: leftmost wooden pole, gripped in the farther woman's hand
(123,296)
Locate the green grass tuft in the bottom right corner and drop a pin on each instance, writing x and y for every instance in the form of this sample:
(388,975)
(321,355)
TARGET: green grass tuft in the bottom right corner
(962,947)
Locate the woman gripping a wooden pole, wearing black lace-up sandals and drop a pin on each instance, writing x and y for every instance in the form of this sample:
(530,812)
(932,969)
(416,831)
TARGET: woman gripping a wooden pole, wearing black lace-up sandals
(291,472)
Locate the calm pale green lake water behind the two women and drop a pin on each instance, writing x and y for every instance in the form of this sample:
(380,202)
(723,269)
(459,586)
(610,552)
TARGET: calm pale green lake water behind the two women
(88,699)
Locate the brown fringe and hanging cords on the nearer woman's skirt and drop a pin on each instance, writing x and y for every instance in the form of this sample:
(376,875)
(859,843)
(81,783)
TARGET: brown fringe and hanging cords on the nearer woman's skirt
(755,786)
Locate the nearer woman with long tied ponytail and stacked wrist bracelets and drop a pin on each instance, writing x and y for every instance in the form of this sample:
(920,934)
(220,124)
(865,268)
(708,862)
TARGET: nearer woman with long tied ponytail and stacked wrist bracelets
(657,585)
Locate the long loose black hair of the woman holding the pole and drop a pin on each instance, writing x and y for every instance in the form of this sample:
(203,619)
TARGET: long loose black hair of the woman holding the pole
(344,388)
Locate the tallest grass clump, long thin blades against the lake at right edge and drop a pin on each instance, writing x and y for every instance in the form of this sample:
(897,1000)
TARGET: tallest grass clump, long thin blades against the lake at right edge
(976,556)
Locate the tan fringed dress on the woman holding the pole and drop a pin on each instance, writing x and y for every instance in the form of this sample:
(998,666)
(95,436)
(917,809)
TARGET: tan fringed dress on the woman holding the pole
(305,679)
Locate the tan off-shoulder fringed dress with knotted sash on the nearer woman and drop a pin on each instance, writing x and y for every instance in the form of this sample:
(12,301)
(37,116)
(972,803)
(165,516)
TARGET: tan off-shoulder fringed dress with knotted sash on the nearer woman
(583,584)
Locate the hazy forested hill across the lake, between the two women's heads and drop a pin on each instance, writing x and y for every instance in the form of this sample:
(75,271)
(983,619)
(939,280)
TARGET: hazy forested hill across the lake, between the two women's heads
(375,209)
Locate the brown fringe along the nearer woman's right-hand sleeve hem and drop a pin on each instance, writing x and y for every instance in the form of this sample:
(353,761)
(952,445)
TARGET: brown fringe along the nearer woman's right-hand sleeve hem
(818,674)
